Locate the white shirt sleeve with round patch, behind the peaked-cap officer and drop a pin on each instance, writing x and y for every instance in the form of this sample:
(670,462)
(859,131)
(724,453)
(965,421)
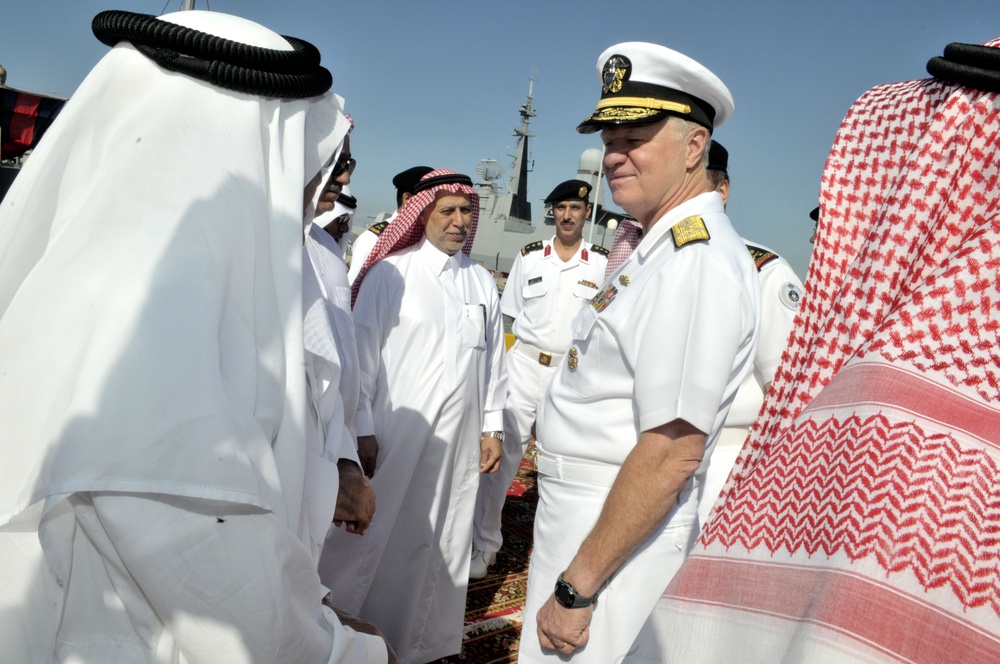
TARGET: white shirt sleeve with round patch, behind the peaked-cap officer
(780,293)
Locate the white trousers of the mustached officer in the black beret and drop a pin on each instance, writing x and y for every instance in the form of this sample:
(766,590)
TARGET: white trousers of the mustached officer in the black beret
(527,381)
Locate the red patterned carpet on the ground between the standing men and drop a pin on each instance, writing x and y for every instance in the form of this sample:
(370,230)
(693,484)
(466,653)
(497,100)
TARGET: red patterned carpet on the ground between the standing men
(494,608)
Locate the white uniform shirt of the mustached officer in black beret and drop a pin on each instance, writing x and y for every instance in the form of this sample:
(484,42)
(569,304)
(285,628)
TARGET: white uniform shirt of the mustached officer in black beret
(543,293)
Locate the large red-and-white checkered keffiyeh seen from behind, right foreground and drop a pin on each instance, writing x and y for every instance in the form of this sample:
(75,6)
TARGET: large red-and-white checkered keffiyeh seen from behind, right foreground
(862,521)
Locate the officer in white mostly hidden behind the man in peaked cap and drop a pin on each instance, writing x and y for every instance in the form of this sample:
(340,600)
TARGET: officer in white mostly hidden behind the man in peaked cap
(781,292)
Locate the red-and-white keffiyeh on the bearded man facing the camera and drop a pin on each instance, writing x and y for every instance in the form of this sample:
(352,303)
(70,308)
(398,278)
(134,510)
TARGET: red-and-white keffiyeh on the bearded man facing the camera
(408,227)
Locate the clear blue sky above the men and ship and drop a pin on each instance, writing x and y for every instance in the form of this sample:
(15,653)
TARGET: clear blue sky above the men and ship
(439,83)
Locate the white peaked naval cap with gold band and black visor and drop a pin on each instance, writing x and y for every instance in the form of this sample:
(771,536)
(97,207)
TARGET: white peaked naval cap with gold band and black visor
(642,83)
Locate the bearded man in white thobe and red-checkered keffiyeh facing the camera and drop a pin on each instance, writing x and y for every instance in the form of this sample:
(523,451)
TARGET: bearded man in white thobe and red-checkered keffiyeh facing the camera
(430,342)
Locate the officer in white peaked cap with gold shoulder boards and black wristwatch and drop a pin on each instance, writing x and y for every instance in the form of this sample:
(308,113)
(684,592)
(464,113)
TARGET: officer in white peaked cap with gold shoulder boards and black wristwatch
(638,402)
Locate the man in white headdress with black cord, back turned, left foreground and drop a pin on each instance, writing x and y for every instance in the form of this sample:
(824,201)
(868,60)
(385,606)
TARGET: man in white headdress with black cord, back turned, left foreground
(163,491)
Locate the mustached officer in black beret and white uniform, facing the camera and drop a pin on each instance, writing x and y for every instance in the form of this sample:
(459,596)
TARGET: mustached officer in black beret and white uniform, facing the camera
(549,283)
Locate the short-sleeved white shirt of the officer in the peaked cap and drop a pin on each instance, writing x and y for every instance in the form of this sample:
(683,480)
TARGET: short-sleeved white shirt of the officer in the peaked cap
(653,354)
